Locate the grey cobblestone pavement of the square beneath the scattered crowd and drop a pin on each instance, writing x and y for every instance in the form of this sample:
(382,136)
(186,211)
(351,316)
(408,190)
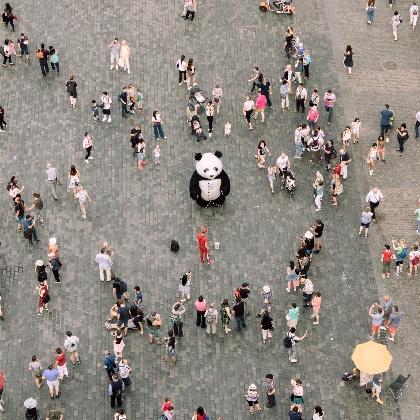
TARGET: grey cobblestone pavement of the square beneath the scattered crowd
(139,213)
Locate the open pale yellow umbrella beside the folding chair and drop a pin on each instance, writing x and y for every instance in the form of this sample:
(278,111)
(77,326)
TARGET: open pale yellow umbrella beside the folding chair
(372,357)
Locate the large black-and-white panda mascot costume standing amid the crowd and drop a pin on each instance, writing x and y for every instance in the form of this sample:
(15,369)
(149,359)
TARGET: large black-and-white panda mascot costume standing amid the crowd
(209,183)
